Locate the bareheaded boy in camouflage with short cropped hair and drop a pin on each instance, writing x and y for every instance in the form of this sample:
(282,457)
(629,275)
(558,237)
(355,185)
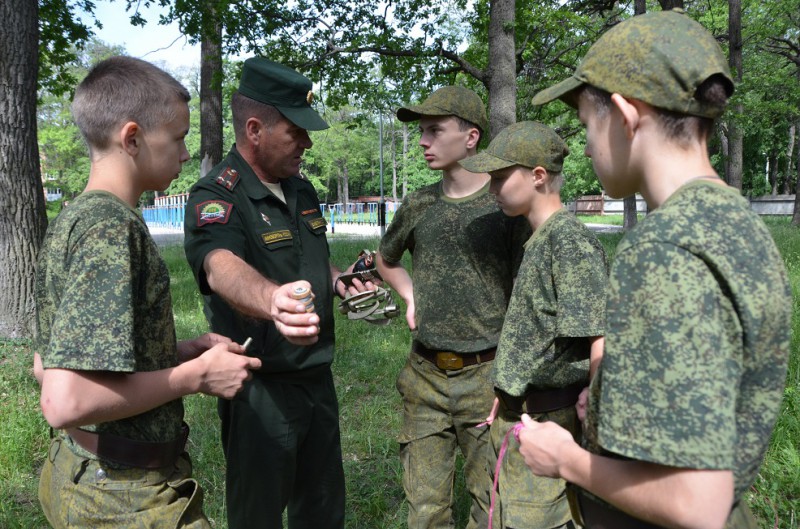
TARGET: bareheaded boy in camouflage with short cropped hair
(111,371)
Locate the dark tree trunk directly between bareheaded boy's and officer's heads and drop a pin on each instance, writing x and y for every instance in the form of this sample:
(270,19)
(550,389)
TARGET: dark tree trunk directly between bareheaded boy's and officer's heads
(211,89)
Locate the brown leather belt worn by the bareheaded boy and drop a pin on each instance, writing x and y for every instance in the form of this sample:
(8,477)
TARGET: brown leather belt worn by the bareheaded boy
(127,452)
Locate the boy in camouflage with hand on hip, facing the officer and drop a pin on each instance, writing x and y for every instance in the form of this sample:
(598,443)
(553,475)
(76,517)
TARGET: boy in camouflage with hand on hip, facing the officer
(465,254)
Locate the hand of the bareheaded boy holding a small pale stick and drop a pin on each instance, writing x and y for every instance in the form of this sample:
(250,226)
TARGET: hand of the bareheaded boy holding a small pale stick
(224,373)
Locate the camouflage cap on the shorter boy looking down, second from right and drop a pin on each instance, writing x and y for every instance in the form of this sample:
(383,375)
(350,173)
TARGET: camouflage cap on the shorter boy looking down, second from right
(527,143)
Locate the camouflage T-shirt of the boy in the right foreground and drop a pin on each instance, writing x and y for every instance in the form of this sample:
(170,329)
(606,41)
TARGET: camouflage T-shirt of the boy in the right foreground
(697,341)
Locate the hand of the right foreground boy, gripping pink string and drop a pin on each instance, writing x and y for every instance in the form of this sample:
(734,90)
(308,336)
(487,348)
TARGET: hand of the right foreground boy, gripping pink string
(544,446)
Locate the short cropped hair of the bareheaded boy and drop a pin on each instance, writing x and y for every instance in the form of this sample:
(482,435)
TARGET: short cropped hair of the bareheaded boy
(122,89)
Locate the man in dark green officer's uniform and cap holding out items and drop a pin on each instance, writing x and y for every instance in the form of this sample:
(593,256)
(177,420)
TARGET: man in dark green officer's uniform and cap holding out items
(255,233)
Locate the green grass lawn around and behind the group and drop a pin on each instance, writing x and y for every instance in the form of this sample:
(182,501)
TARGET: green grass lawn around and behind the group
(368,359)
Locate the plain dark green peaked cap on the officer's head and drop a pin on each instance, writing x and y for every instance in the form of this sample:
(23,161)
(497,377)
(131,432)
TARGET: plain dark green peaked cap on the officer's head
(283,88)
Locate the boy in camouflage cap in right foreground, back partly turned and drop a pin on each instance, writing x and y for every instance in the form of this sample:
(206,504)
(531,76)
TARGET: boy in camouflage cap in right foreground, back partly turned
(699,309)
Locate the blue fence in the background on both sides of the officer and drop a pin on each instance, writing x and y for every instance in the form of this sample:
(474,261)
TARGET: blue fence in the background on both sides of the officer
(168,212)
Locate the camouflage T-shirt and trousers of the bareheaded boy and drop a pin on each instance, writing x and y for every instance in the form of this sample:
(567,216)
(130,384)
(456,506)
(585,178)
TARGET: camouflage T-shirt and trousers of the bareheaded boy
(103,304)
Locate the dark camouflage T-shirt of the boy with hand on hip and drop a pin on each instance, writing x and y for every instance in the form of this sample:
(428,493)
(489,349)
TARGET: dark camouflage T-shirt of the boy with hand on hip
(465,253)
